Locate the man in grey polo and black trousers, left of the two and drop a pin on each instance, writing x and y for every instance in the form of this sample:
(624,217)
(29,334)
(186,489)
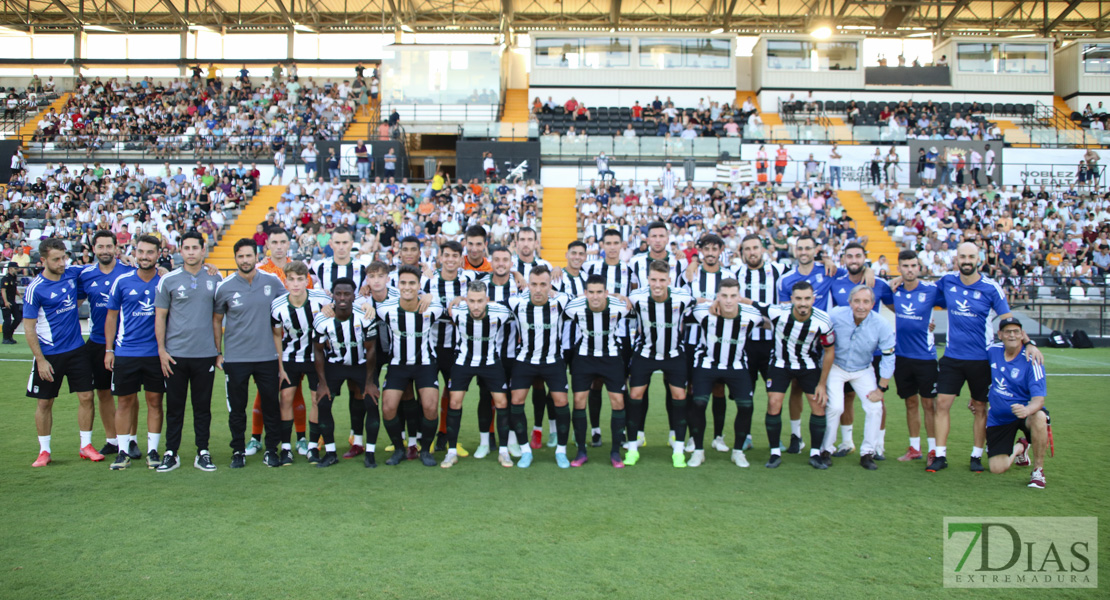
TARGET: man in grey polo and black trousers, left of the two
(185,300)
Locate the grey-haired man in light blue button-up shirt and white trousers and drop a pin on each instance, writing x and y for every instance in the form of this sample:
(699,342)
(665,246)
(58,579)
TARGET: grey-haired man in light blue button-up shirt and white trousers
(860,332)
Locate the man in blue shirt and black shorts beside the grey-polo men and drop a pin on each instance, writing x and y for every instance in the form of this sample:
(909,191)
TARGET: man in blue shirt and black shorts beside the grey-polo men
(132,350)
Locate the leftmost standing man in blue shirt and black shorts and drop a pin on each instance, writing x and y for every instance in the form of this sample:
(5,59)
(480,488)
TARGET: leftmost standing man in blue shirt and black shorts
(51,312)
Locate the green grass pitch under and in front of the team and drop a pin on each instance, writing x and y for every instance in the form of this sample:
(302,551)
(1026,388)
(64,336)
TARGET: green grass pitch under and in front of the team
(78,531)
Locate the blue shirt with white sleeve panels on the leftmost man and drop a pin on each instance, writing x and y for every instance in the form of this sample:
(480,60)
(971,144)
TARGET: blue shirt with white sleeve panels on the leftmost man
(54,306)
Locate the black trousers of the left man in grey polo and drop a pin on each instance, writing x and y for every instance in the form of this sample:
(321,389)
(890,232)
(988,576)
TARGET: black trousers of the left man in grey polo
(189,375)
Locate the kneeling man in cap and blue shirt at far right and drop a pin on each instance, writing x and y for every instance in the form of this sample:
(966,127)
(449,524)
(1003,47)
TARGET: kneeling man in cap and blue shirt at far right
(1017,402)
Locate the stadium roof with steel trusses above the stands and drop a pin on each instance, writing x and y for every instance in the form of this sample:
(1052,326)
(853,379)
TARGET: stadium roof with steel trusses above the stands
(901,18)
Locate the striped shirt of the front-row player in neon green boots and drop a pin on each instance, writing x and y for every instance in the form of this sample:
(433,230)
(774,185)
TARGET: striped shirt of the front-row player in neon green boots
(660,324)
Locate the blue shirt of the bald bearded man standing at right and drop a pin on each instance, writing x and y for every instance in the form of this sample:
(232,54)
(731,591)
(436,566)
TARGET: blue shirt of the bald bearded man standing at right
(970,308)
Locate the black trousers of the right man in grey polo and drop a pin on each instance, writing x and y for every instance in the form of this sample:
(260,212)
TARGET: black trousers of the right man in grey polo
(238,379)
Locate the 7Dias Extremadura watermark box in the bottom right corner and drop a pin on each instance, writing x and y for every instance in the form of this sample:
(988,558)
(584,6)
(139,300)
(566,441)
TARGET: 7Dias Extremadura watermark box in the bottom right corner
(1021,553)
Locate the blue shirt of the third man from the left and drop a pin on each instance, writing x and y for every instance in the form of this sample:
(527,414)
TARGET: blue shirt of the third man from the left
(135,300)
